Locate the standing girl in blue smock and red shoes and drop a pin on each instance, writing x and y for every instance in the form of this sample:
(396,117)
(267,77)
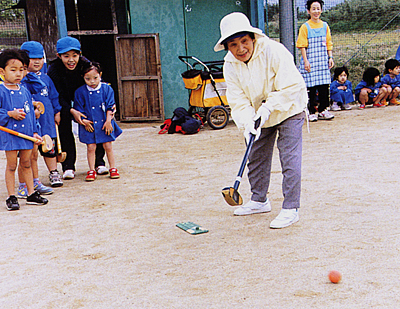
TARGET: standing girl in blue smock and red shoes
(96,101)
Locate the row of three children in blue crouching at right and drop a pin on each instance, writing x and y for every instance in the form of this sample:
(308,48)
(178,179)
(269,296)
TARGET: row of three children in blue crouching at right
(372,90)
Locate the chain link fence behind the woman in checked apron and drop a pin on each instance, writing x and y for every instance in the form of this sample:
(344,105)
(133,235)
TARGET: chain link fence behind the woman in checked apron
(364,32)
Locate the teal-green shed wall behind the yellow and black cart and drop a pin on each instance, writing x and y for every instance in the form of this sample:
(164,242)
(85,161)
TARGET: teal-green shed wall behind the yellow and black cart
(177,20)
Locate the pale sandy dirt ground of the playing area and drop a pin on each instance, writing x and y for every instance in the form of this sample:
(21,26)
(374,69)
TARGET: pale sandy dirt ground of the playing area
(114,243)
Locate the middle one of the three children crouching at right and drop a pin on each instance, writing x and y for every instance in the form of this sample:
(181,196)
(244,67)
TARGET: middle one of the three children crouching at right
(370,89)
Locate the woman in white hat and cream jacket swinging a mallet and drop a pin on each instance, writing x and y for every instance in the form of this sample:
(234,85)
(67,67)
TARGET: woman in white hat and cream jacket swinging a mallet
(263,81)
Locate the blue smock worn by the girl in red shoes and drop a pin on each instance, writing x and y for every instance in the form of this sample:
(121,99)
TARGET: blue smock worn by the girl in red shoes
(94,104)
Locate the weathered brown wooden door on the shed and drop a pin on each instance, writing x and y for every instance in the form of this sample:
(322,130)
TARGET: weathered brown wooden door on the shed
(139,77)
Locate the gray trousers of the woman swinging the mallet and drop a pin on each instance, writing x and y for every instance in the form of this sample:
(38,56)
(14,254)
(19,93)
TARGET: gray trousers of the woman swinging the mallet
(289,144)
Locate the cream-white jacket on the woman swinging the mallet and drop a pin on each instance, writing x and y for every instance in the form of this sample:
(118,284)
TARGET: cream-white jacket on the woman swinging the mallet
(270,75)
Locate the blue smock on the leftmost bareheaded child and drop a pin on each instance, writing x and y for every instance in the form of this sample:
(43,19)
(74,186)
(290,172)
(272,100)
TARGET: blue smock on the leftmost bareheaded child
(16,99)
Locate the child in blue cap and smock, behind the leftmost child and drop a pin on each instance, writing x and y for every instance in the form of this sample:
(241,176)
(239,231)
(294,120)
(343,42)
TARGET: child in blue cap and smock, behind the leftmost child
(42,90)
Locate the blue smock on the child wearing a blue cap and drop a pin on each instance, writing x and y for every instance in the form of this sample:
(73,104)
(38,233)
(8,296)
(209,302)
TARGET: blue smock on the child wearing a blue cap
(48,95)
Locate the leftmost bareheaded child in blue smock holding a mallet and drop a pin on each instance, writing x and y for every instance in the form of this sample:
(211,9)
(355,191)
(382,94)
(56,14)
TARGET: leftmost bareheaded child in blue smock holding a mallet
(17,113)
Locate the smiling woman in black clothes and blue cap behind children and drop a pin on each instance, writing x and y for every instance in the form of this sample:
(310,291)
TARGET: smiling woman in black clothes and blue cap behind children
(65,71)
